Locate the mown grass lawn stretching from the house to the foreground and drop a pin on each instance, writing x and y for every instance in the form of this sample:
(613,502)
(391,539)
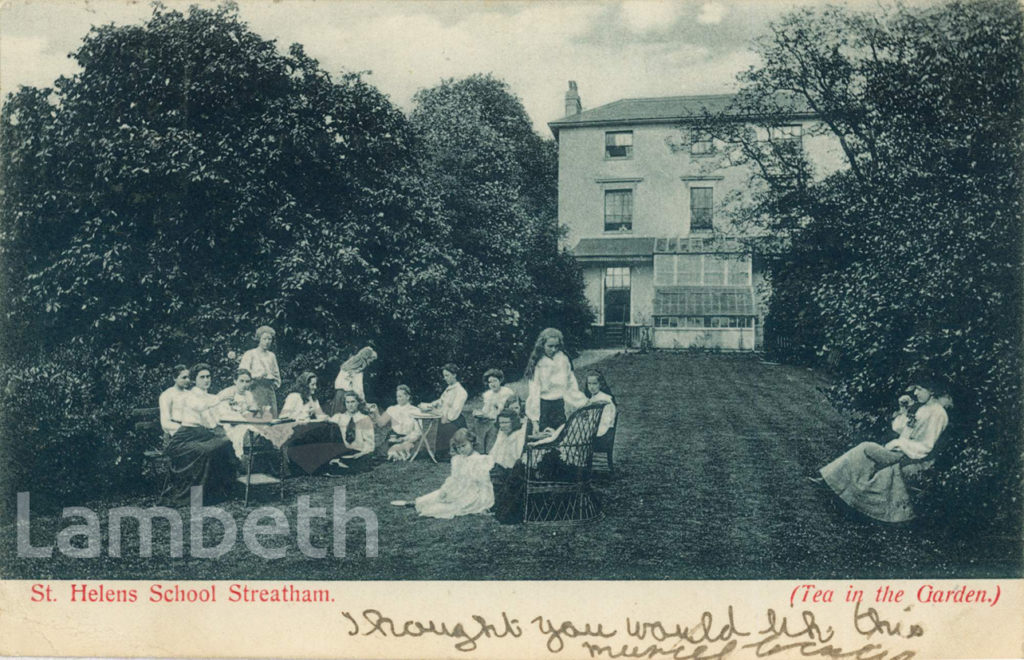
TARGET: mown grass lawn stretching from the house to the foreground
(712,455)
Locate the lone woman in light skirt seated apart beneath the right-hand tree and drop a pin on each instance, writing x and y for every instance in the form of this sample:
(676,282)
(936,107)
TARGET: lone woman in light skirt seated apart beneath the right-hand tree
(870,479)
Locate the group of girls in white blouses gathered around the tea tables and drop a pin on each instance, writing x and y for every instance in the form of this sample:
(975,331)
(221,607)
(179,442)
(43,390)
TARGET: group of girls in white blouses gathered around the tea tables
(205,446)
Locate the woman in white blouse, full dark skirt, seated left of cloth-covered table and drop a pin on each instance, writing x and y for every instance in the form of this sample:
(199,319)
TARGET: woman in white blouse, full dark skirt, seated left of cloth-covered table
(200,453)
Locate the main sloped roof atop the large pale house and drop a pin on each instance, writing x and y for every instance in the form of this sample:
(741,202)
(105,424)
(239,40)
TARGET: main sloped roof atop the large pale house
(654,111)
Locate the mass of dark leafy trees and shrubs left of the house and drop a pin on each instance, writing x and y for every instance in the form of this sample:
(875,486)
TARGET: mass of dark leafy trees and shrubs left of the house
(193,183)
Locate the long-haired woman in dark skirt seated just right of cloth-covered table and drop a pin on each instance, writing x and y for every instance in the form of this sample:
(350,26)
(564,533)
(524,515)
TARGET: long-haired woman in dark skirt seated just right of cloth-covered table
(316,441)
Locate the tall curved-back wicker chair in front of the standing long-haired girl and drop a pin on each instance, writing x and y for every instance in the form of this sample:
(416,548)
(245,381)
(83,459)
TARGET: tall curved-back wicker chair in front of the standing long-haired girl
(560,473)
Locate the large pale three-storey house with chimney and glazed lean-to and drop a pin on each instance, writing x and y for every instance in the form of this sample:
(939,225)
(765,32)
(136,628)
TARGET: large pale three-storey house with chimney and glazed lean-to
(644,199)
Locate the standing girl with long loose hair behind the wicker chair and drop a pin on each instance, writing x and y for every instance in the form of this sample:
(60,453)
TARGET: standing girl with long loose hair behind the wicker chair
(552,384)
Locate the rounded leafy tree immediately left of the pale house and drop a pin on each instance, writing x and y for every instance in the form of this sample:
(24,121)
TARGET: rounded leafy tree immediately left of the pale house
(497,184)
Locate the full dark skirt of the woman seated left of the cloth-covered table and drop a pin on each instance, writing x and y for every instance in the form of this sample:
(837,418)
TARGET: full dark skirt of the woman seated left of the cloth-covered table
(201,457)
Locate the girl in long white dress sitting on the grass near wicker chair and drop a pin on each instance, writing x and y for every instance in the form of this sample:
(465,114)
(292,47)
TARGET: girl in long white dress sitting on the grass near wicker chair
(468,491)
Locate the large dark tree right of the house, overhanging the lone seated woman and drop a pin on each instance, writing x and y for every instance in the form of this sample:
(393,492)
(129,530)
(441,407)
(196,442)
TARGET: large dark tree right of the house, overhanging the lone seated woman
(909,259)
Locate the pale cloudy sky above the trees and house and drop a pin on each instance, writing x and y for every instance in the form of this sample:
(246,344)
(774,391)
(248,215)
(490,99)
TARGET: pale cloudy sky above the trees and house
(614,51)
